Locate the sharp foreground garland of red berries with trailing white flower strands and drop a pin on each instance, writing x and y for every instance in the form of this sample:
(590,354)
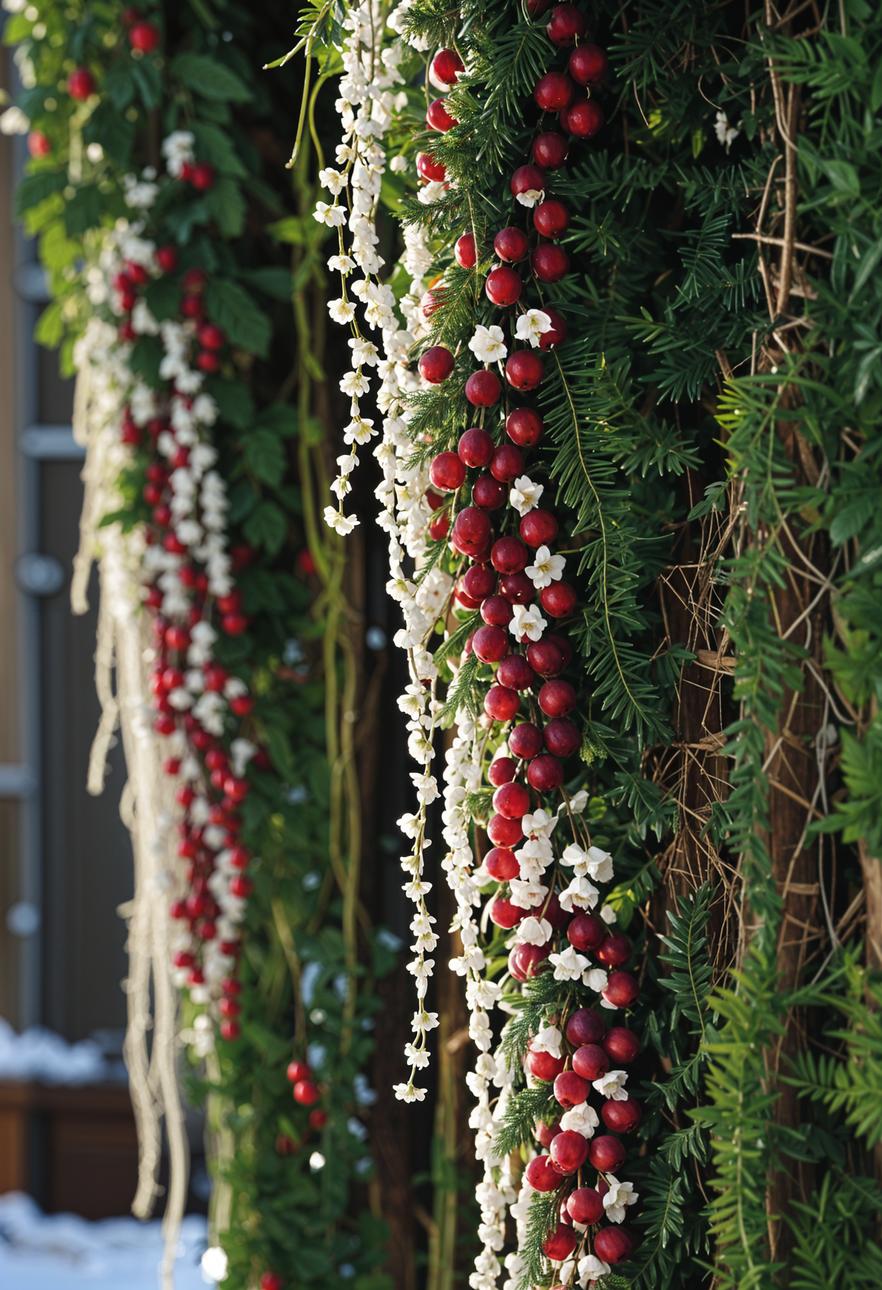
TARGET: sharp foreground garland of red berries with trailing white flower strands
(547,870)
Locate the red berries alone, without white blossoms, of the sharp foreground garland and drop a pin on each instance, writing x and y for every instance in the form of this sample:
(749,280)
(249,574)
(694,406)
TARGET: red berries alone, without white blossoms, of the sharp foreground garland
(529,699)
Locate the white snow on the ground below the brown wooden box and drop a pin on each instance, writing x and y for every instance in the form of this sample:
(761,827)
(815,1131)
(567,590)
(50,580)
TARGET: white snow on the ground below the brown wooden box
(61,1252)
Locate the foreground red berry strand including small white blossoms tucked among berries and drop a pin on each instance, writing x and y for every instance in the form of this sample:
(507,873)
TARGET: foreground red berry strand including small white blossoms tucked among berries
(511,575)
